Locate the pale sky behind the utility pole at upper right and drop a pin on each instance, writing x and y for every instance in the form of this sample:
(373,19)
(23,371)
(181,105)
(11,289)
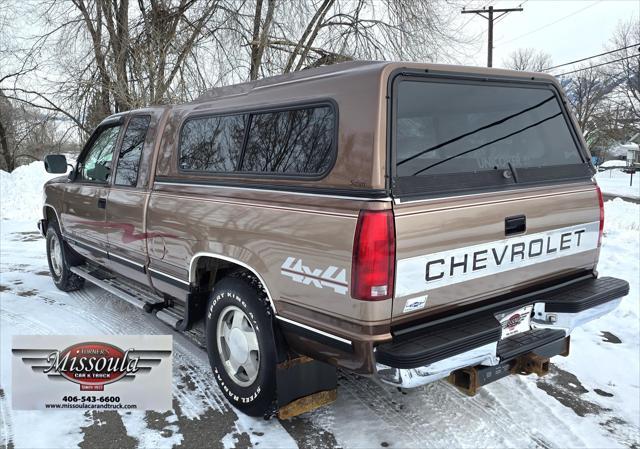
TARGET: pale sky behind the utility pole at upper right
(581,28)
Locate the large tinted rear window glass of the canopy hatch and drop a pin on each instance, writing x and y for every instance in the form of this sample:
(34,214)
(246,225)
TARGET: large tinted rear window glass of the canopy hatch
(449,128)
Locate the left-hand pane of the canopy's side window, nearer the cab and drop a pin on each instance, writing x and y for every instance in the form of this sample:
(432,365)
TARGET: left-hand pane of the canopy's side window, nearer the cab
(212,143)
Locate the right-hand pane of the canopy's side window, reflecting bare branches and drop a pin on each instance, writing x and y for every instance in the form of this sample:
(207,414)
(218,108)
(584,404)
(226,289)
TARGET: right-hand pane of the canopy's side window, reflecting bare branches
(298,141)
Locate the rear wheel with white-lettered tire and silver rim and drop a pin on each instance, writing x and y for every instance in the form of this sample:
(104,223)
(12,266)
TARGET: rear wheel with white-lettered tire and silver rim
(237,309)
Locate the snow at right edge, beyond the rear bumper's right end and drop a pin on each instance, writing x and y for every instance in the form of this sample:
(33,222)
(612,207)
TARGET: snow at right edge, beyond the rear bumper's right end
(620,257)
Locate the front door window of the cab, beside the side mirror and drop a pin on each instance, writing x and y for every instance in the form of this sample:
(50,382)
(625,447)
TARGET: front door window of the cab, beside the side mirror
(96,165)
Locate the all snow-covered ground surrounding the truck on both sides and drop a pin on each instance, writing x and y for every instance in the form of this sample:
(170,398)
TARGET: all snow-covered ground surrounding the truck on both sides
(513,412)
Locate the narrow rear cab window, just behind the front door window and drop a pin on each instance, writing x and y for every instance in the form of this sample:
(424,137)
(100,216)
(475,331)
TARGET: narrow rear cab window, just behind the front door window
(131,150)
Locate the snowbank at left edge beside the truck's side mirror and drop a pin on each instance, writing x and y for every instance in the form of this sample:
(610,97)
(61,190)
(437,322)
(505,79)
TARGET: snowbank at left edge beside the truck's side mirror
(21,192)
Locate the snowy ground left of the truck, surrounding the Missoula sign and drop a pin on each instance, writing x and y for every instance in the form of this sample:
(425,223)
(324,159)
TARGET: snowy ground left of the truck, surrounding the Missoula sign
(32,305)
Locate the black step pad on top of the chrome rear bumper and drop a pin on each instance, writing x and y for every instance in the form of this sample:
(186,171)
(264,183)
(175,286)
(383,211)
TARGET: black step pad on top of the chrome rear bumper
(430,344)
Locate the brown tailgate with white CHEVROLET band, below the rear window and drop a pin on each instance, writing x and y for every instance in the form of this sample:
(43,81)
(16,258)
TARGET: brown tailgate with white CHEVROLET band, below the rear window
(453,252)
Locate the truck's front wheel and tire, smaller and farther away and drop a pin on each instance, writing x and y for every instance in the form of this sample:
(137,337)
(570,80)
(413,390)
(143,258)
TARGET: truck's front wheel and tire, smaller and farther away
(59,257)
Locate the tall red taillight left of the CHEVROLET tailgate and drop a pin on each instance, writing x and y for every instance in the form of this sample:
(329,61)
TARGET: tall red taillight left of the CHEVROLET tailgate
(374,254)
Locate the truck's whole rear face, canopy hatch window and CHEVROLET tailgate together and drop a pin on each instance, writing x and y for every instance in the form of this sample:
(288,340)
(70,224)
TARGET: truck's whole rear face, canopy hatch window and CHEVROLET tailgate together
(492,191)
